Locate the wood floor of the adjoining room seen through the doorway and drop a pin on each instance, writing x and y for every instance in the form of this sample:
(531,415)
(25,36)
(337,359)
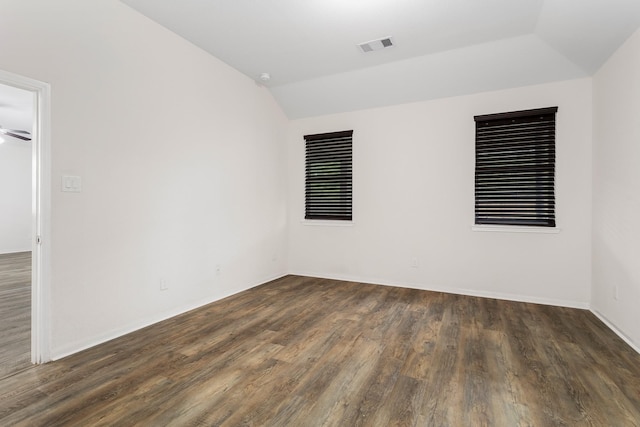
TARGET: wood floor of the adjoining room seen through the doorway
(15,312)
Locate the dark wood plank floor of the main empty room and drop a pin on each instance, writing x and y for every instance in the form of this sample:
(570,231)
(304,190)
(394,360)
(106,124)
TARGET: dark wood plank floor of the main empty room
(309,352)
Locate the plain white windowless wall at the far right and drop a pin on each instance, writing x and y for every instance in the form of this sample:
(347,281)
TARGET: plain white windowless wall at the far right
(616,188)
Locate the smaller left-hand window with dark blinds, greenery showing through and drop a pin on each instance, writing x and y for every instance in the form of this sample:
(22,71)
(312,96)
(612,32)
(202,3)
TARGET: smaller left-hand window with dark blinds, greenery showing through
(328,176)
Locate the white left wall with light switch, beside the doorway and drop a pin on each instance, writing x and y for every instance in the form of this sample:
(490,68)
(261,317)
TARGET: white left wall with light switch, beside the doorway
(181,159)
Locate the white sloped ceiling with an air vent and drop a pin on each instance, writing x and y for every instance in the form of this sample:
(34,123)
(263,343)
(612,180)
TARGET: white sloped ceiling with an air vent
(443,47)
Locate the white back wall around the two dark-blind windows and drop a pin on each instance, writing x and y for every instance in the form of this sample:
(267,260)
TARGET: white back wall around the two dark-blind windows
(413,197)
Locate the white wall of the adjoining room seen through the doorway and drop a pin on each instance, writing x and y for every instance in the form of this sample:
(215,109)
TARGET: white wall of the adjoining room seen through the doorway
(15,196)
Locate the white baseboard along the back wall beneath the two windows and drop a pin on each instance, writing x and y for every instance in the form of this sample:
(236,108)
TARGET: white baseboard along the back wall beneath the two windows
(451,290)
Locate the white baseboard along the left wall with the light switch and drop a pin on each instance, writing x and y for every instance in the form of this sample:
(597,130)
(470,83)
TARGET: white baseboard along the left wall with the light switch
(79,346)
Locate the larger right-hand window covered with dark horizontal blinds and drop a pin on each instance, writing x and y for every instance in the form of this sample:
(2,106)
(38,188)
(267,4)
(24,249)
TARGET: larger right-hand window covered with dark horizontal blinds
(515,168)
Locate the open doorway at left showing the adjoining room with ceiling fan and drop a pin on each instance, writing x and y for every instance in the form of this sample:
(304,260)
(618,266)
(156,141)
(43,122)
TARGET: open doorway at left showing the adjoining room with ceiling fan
(16,153)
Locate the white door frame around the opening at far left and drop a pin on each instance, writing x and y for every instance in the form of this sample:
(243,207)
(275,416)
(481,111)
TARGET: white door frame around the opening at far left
(41,214)
